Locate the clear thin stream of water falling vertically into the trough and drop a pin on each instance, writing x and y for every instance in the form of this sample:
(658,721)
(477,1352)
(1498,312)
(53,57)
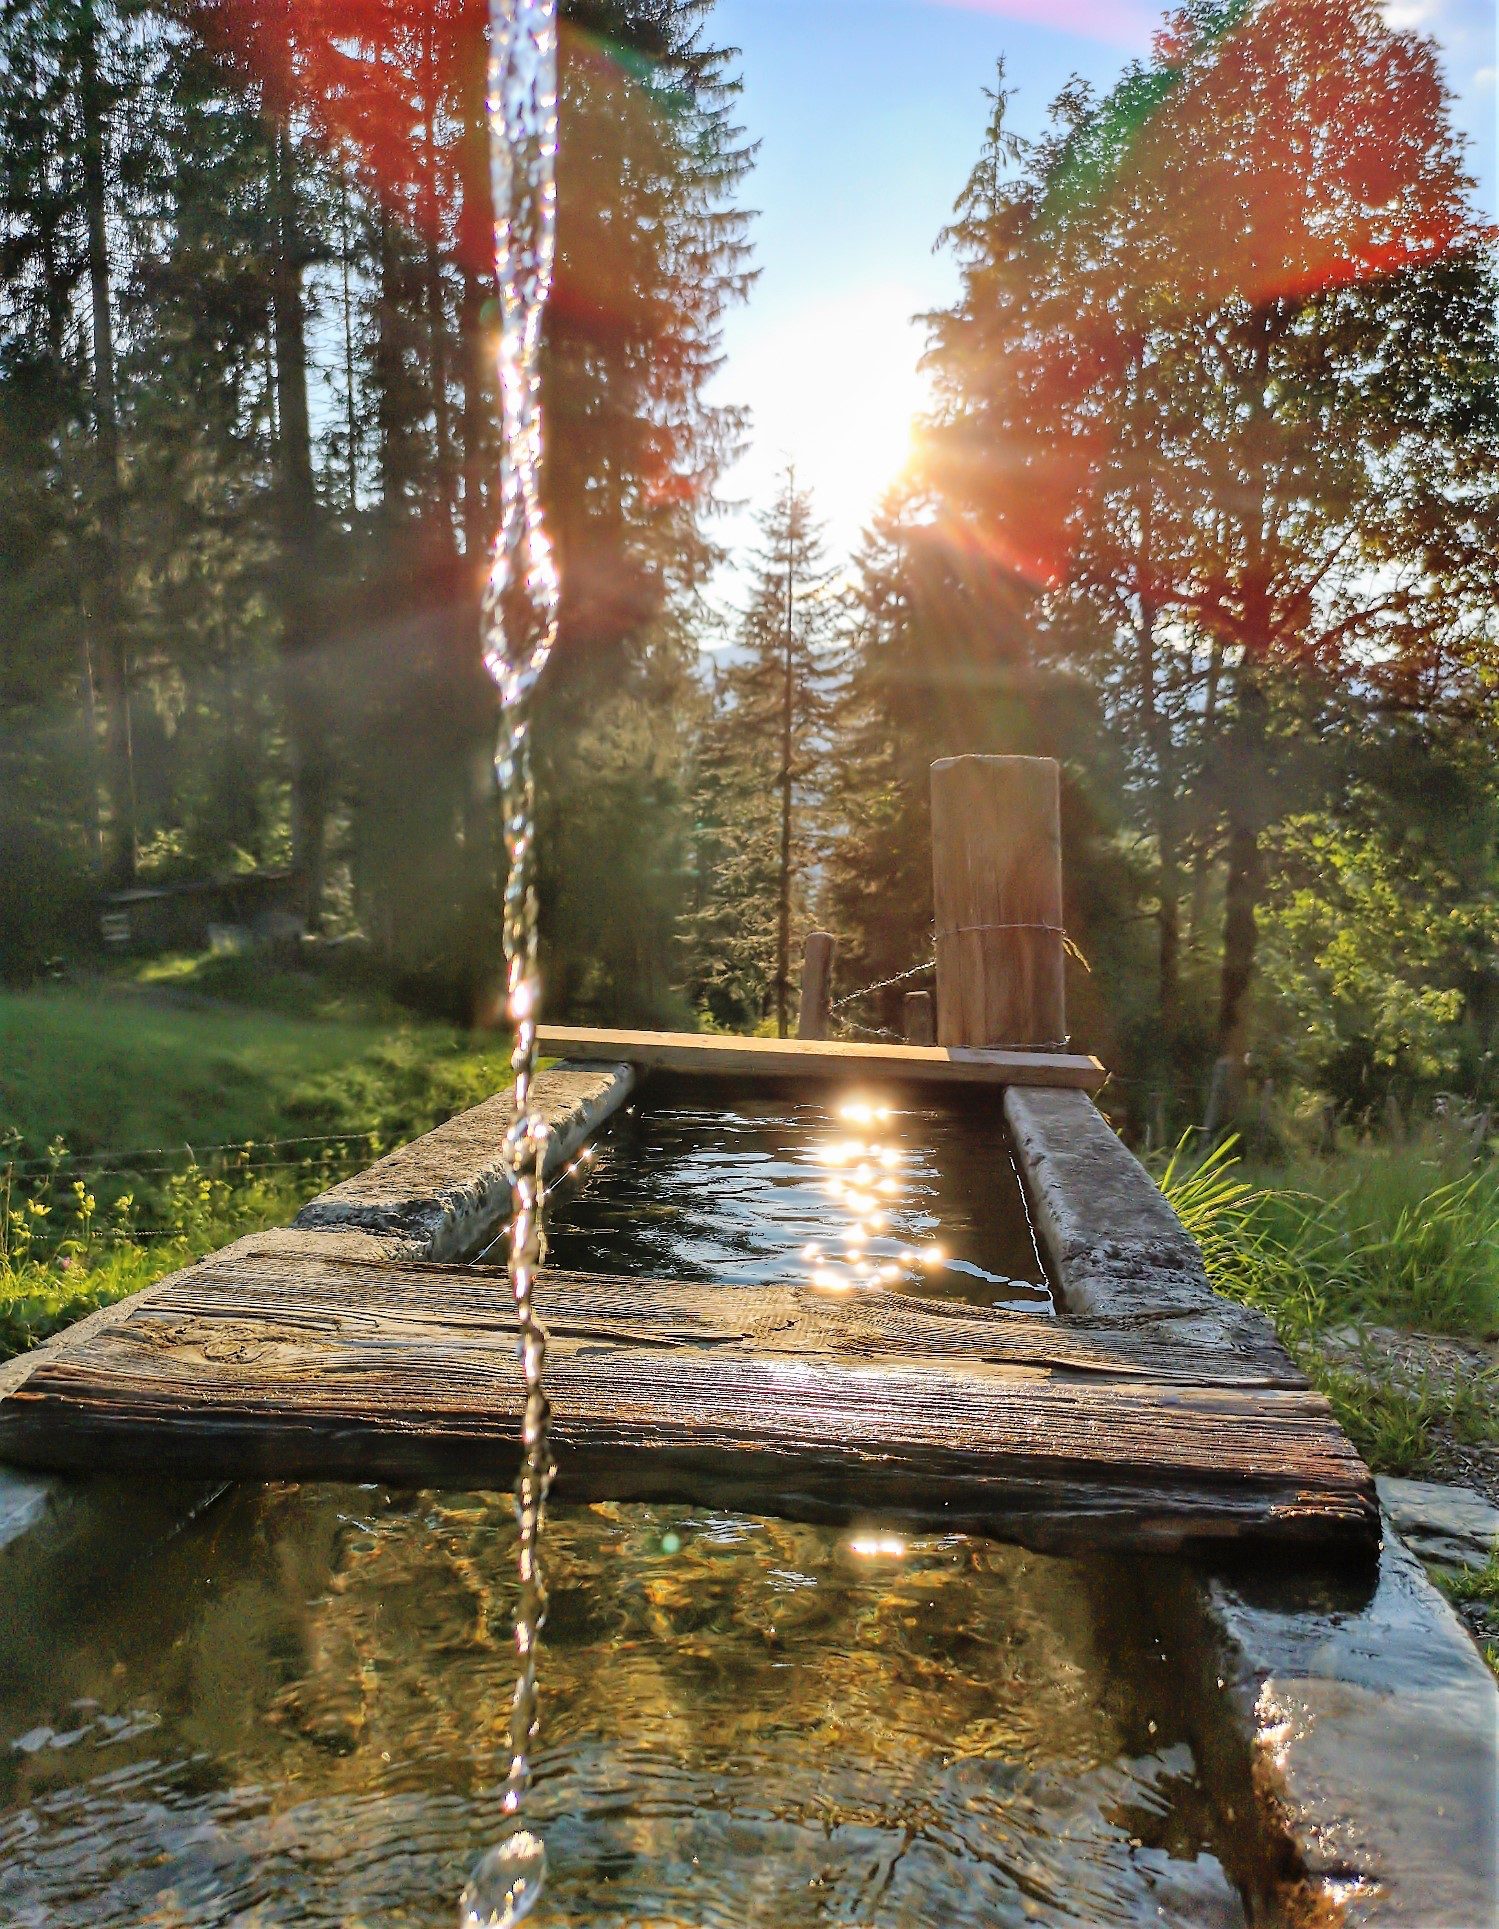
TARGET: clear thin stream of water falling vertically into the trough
(520,630)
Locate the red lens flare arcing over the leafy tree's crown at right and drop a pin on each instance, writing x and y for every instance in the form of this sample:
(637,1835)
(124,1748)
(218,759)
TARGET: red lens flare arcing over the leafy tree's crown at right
(1294,151)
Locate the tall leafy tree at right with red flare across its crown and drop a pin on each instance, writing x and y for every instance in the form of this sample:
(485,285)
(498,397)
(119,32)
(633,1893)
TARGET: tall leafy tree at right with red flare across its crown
(1222,383)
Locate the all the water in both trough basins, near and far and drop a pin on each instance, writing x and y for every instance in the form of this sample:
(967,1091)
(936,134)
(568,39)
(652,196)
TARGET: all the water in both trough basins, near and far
(296,1708)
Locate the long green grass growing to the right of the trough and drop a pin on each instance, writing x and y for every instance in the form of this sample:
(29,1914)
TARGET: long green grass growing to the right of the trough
(1398,1237)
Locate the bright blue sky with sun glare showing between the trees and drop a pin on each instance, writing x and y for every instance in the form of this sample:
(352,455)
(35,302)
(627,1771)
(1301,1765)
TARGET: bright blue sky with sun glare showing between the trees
(869,117)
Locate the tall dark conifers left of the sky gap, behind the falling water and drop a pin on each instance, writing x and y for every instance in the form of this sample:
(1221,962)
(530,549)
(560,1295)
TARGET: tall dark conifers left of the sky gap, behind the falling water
(244,531)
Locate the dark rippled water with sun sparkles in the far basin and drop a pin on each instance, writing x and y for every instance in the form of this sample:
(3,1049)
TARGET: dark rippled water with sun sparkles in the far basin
(838,1189)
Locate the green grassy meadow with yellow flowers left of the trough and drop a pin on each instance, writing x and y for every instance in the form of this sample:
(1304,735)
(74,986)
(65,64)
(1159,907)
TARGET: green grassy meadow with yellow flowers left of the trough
(153,1116)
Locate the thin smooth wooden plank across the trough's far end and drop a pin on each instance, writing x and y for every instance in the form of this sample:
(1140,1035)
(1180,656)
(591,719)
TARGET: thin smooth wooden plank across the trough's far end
(817,1058)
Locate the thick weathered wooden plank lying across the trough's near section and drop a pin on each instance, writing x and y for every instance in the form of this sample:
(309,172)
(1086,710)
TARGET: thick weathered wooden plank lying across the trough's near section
(778,1401)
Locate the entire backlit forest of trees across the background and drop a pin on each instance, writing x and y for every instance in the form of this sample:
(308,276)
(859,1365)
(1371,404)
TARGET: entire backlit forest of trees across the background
(1207,508)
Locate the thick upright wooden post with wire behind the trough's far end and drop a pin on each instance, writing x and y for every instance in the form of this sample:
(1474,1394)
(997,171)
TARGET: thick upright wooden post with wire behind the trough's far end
(996,884)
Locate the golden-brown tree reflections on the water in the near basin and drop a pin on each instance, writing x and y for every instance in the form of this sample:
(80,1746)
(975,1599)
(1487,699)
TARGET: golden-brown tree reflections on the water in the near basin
(962,1718)
